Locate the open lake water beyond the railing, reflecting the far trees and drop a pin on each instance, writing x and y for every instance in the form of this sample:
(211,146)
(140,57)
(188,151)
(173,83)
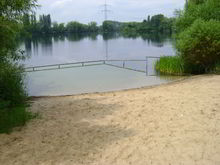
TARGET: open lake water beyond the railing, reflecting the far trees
(48,49)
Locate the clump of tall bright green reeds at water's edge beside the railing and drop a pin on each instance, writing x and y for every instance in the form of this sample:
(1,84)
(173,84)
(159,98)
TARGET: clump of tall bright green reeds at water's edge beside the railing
(172,65)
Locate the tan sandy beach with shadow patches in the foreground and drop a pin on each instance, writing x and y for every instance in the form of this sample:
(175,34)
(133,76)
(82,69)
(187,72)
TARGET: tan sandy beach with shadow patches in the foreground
(174,124)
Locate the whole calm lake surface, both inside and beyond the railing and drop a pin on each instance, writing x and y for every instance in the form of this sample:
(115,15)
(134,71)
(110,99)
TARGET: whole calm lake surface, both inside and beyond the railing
(77,48)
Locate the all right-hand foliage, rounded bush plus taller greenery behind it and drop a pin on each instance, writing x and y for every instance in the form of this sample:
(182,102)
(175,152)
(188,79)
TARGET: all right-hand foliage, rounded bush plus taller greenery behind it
(198,36)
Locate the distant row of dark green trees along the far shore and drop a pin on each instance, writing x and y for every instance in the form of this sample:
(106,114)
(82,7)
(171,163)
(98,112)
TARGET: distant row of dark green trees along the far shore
(44,25)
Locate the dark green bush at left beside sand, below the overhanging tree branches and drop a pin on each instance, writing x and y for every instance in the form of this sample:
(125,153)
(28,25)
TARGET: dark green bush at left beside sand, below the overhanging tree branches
(13,98)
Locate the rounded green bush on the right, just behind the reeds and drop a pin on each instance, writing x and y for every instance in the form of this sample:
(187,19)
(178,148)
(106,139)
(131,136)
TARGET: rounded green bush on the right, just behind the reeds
(199,46)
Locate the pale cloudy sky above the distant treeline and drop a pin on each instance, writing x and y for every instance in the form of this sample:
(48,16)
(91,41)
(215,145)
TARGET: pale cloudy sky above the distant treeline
(121,10)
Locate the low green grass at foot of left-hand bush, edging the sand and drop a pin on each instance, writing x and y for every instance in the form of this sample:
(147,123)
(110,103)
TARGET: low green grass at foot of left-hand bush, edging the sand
(13,117)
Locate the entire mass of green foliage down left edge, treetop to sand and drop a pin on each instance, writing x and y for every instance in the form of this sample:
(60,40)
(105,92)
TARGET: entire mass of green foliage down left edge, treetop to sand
(12,91)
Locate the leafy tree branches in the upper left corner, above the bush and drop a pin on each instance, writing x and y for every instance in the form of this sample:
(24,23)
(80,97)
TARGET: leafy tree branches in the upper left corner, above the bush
(10,14)
